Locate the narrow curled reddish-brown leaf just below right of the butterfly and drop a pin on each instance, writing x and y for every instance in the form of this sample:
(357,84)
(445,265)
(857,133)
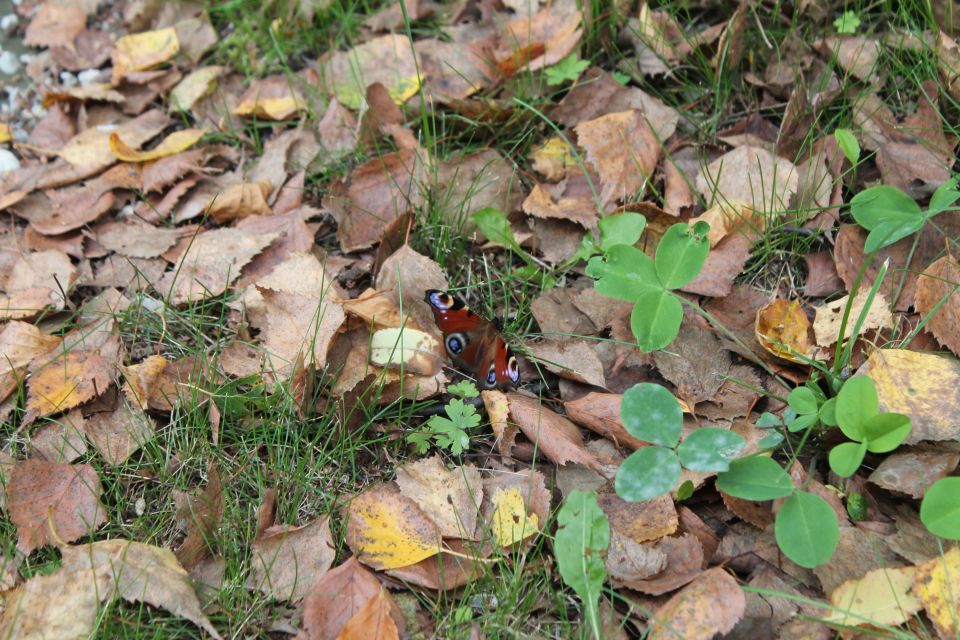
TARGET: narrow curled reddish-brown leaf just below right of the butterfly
(557,437)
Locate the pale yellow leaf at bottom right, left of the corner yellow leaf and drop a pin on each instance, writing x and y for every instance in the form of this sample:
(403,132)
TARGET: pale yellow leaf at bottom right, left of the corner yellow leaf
(882,596)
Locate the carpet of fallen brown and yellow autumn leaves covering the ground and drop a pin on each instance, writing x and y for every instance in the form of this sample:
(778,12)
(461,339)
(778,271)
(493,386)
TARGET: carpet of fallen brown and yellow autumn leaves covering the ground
(309,211)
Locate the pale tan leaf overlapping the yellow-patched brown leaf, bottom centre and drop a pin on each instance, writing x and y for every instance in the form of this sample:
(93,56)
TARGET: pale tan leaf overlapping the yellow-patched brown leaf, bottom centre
(451,498)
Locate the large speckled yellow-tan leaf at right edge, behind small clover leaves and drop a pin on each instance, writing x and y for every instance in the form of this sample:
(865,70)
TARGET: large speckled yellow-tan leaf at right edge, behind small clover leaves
(923,386)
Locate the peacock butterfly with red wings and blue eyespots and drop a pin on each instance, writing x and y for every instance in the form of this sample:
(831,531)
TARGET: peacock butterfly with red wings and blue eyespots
(472,342)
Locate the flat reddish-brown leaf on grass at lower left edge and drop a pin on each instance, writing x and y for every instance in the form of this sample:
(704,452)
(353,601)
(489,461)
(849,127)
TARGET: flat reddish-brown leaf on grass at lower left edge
(53,503)
